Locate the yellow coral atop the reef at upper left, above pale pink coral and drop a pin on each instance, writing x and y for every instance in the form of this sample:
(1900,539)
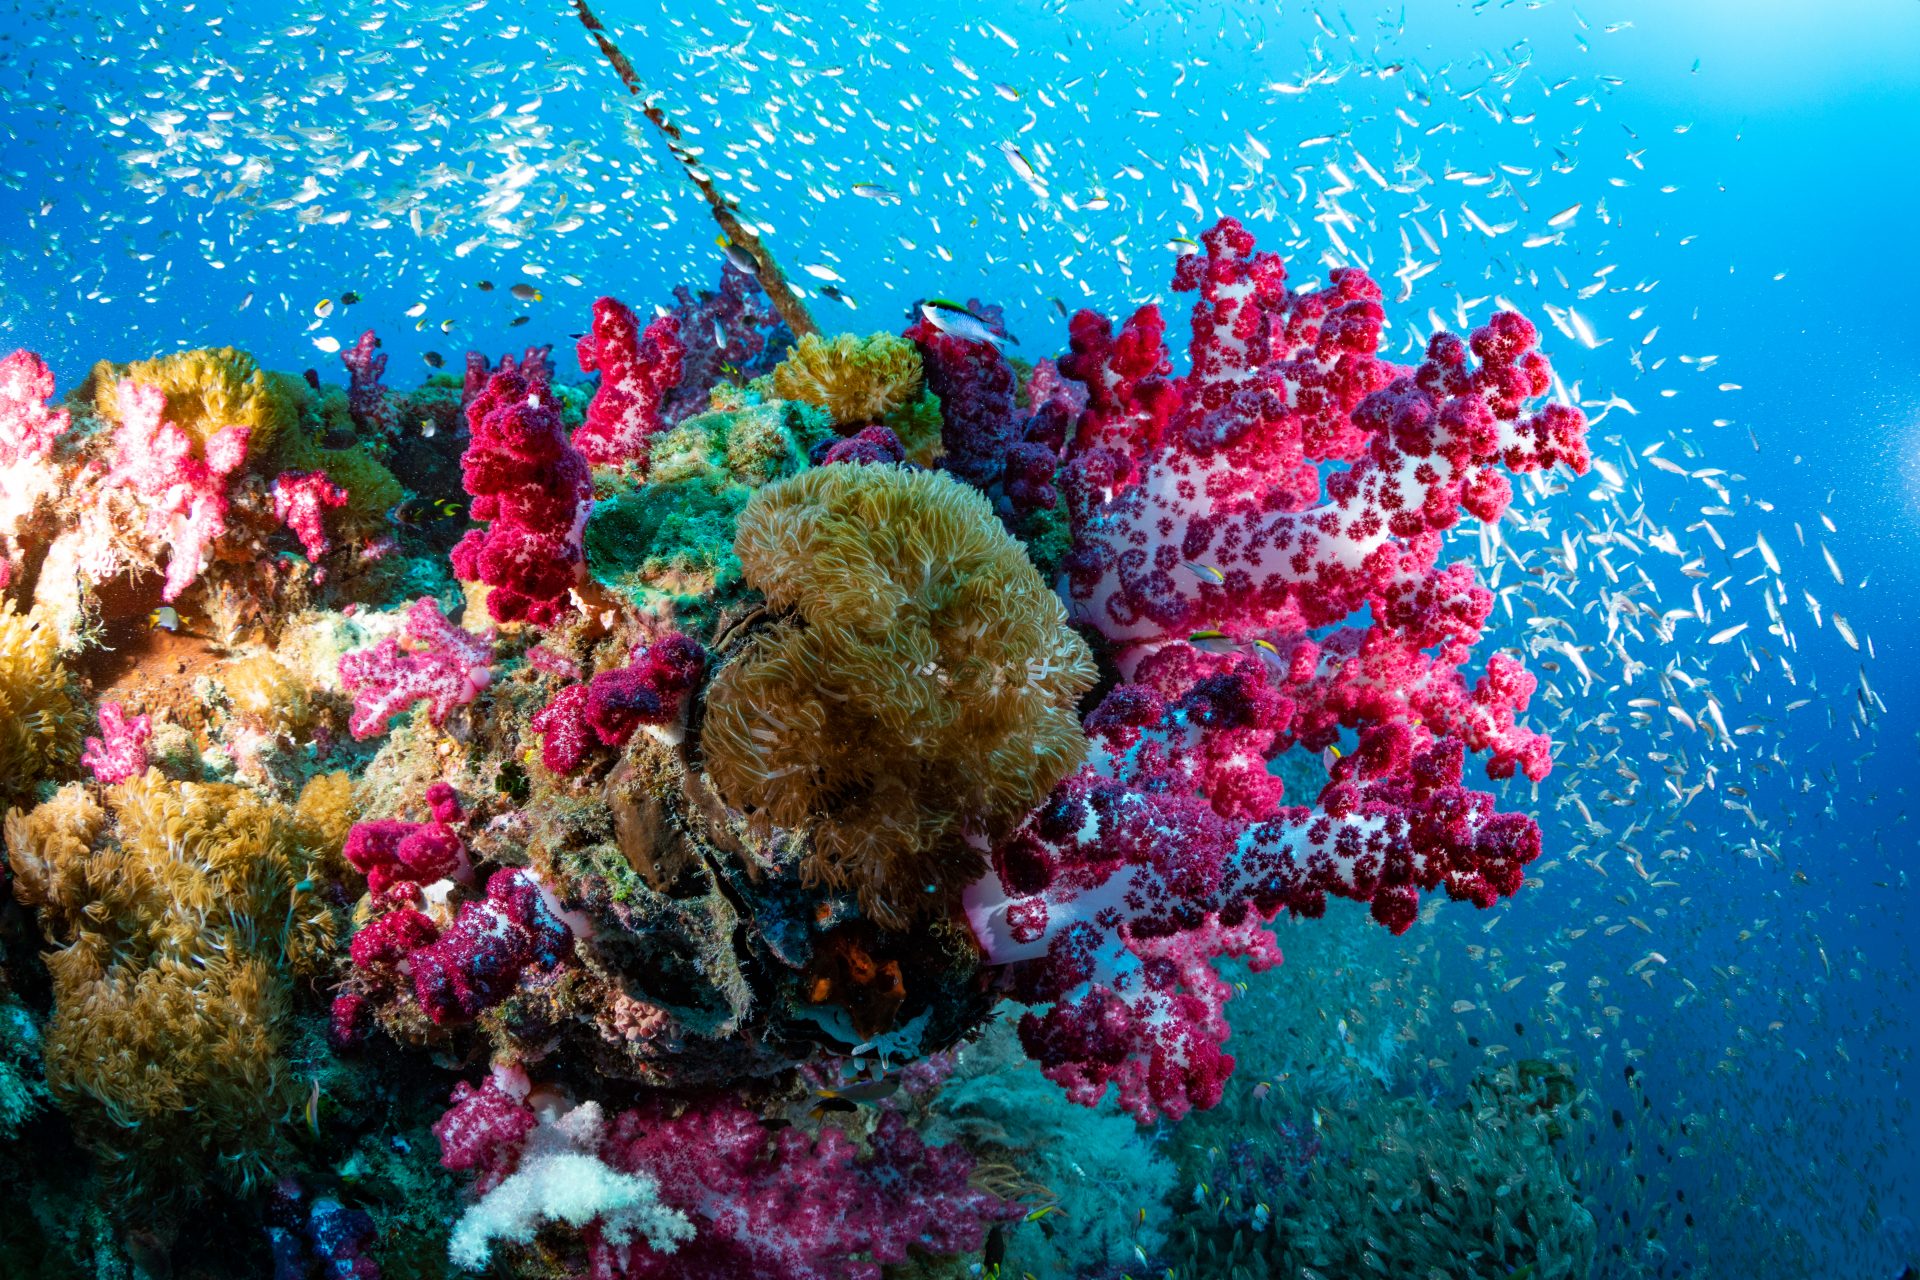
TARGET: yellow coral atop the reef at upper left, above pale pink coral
(208,391)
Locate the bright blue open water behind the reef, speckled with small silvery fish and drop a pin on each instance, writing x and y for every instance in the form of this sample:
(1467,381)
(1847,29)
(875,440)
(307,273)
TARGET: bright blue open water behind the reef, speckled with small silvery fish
(1756,164)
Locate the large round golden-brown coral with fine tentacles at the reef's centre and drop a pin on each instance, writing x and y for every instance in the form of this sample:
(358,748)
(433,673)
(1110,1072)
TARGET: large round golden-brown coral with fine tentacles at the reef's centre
(919,694)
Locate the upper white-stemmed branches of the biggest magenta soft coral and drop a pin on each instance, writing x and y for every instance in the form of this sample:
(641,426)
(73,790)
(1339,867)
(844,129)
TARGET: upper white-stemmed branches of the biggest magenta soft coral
(1220,523)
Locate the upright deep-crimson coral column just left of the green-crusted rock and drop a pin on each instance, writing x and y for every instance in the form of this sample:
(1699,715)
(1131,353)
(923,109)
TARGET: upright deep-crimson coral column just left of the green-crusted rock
(533,490)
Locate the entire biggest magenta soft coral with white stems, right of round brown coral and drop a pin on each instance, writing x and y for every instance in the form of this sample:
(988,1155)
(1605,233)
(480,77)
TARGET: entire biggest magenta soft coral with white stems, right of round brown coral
(1199,525)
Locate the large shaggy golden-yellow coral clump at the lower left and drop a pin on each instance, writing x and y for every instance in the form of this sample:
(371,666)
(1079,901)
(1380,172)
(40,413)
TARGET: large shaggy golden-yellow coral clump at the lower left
(181,914)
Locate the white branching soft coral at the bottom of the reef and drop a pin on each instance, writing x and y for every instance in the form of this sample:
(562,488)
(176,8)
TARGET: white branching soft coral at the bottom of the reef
(562,1179)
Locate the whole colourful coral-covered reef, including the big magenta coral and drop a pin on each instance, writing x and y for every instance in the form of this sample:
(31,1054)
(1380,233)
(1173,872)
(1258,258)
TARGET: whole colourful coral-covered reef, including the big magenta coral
(684,822)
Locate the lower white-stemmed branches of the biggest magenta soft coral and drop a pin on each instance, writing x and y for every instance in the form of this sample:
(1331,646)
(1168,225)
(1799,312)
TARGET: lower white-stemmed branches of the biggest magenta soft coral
(1116,893)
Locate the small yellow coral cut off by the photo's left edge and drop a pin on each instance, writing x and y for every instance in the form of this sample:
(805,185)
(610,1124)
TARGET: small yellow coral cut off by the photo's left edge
(41,709)
